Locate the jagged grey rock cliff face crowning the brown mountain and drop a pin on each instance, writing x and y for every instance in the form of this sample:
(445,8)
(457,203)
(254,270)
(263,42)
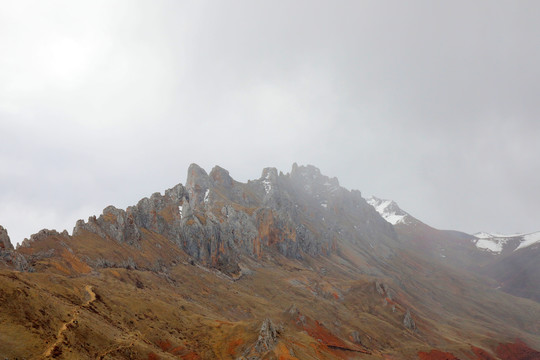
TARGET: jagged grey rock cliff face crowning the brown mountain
(216,219)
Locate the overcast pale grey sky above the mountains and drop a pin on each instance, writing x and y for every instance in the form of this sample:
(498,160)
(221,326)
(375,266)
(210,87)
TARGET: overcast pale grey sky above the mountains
(432,104)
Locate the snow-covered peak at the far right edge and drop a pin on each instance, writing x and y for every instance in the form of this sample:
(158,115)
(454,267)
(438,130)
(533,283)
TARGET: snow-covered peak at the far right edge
(496,243)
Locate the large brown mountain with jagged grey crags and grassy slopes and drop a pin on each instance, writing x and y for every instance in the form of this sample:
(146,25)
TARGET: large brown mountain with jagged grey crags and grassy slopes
(287,266)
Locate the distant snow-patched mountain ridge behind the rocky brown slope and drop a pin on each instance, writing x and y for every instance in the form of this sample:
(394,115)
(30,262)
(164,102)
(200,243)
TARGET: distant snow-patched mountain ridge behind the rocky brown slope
(511,260)
